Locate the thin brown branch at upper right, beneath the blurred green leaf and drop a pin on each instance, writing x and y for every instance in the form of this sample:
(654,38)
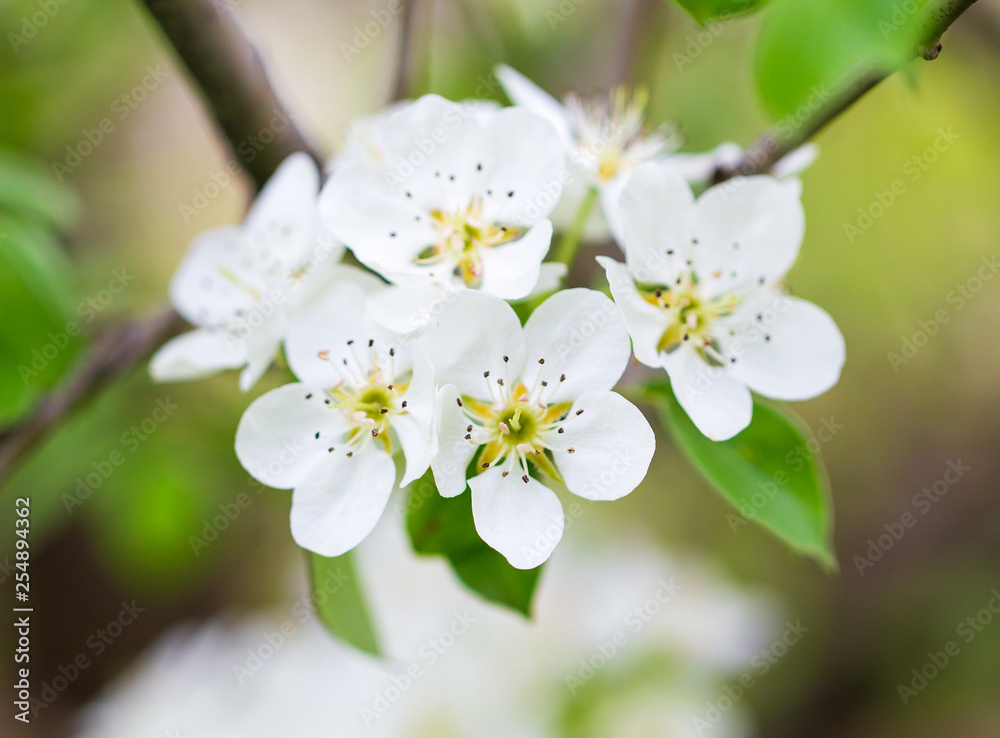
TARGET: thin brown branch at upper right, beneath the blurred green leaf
(932,21)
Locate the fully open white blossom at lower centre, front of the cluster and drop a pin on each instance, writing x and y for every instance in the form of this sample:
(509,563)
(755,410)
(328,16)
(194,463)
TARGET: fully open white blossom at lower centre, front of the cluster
(530,404)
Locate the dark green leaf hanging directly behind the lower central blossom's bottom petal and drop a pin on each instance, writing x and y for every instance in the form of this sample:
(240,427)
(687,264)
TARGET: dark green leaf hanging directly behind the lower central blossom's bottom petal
(444,527)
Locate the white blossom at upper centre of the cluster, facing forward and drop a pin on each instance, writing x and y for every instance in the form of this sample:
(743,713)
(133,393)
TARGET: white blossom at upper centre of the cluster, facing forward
(460,200)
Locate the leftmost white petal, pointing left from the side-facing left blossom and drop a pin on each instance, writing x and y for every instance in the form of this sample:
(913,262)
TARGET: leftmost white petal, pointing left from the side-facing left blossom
(197,354)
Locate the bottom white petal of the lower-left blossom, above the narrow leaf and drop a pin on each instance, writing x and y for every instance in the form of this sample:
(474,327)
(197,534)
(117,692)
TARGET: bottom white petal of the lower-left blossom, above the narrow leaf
(339,503)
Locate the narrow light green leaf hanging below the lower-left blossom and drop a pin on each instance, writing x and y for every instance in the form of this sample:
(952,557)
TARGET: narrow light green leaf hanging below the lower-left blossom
(339,601)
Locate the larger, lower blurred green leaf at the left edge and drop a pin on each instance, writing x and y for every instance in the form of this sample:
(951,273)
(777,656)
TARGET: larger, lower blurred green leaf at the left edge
(39,336)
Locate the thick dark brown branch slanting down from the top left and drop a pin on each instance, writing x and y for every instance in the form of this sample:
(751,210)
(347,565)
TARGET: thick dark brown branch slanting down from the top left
(228,70)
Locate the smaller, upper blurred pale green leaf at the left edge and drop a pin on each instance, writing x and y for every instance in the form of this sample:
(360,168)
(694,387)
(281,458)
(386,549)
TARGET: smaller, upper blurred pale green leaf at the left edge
(29,190)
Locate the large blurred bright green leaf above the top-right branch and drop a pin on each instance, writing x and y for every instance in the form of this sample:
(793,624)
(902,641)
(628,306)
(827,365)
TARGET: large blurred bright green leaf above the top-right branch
(808,52)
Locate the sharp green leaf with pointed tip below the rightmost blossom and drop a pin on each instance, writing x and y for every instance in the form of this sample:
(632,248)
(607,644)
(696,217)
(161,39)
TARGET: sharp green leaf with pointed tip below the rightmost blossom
(767,472)
